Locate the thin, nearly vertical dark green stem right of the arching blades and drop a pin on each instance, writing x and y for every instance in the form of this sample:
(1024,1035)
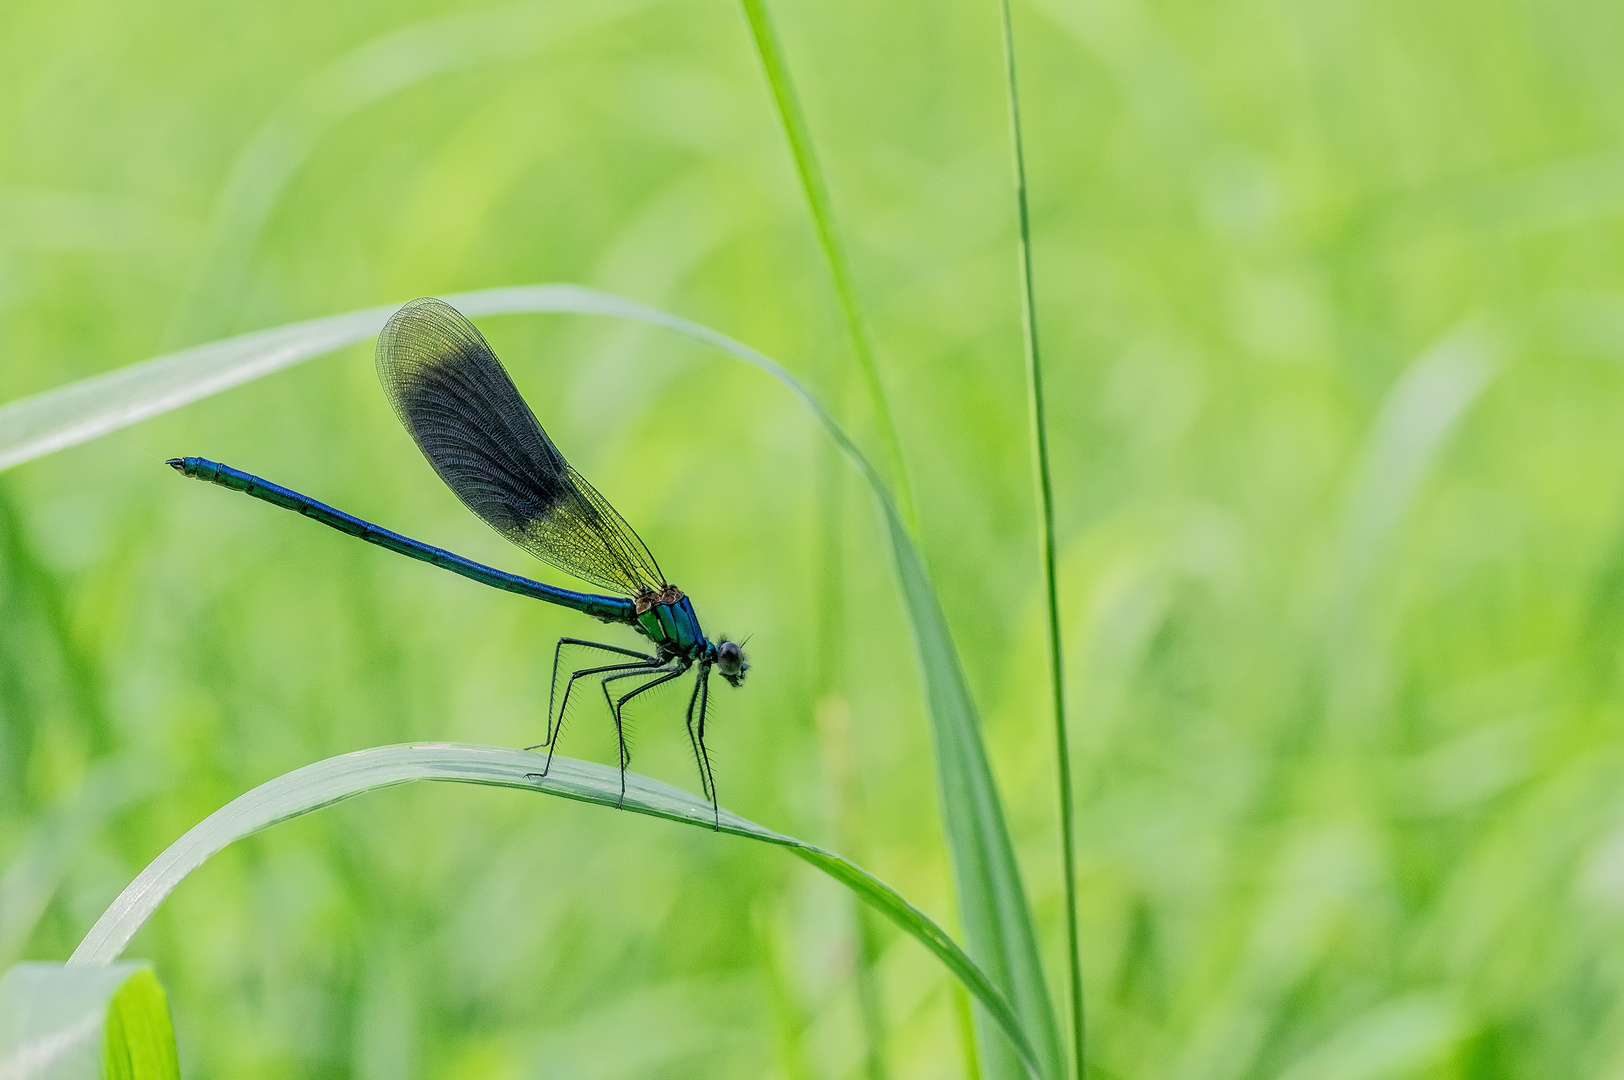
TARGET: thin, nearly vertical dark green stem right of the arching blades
(1040,447)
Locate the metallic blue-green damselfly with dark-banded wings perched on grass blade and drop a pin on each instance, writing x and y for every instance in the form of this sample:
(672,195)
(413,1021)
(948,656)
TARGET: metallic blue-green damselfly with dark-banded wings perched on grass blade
(462,408)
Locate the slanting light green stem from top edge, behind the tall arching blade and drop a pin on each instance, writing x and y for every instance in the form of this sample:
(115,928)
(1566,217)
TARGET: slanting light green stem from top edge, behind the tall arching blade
(829,240)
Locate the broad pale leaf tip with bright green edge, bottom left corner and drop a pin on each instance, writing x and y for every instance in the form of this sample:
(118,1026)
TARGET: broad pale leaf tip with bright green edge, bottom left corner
(85,1024)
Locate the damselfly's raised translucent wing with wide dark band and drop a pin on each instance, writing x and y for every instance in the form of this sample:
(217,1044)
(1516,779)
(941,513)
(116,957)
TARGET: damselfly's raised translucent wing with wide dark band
(460,407)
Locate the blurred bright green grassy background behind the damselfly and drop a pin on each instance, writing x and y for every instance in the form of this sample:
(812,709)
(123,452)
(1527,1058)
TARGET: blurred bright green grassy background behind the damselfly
(1334,309)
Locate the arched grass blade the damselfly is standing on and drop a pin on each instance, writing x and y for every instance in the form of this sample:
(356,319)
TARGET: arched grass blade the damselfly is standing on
(337,779)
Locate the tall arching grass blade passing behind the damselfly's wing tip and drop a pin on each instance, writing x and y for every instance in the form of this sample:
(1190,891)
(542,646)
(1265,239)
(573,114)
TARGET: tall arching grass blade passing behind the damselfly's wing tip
(993,902)
